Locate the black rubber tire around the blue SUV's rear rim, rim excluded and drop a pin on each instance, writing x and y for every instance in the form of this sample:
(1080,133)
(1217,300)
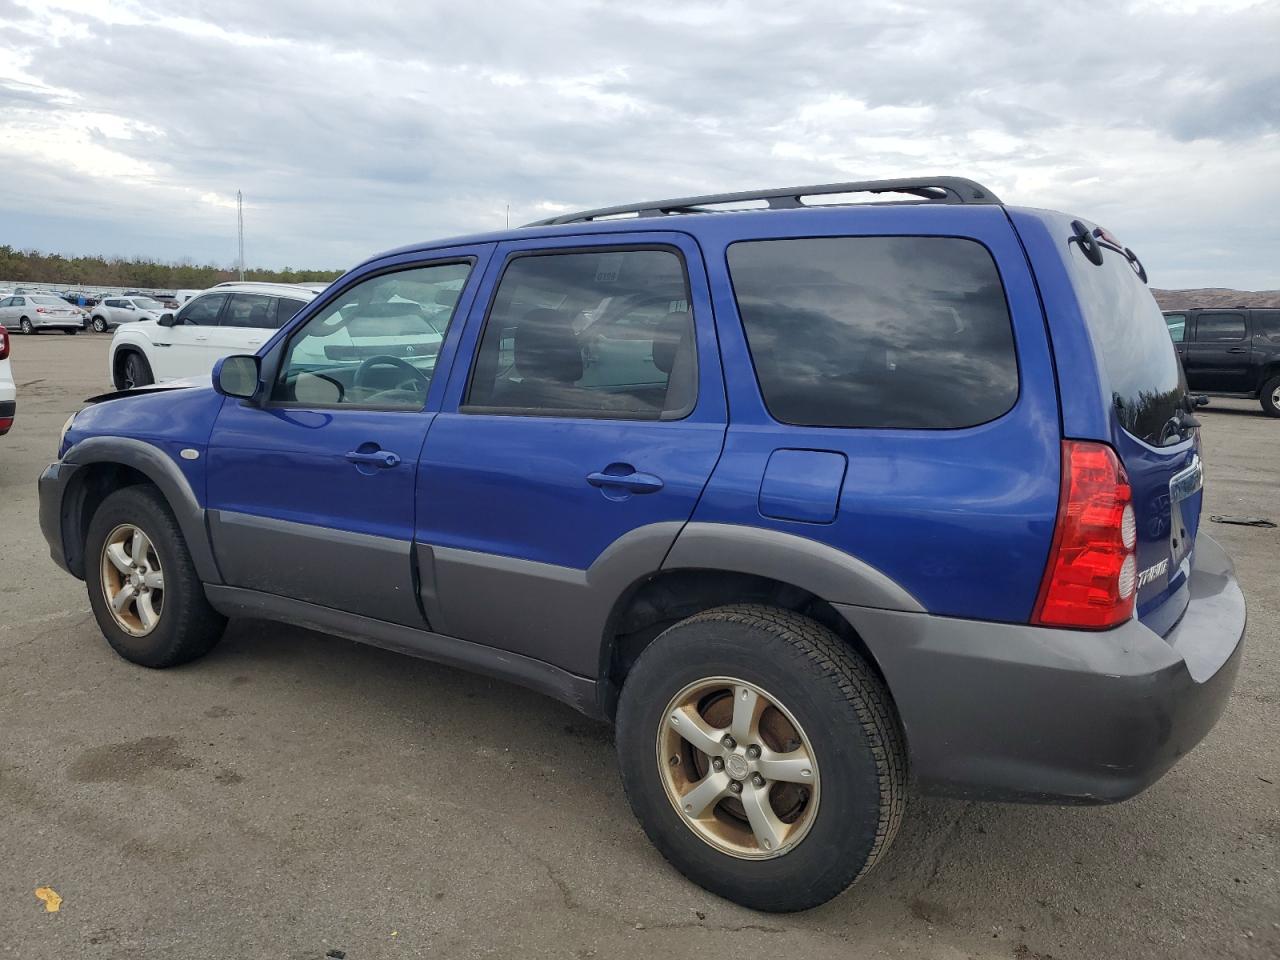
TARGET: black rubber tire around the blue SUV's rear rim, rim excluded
(838,701)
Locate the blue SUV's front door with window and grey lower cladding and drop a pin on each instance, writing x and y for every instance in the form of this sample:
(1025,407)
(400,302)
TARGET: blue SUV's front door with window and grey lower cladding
(312,491)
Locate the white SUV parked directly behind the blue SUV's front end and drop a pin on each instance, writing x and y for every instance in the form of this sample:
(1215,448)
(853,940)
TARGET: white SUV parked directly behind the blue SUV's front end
(232,318)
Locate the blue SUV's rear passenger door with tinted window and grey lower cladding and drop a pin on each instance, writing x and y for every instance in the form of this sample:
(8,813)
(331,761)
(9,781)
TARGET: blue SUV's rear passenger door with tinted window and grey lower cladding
(574,445)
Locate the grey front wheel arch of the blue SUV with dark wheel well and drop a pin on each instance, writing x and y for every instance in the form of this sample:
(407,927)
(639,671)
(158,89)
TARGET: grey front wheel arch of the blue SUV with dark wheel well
(107,464)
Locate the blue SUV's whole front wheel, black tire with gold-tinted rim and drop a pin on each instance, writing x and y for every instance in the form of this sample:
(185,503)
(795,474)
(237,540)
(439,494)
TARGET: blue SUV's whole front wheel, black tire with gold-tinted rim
(143,587)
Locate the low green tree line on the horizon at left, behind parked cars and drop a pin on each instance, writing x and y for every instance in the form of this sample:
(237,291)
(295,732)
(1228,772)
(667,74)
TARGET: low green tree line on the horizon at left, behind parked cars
(89,272)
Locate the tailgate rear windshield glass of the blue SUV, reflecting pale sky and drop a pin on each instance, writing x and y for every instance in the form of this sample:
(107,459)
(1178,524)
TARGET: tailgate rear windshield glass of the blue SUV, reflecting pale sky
(1139,363)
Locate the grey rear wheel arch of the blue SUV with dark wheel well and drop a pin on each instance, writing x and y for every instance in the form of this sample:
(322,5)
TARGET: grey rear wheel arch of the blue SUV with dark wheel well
(714,565)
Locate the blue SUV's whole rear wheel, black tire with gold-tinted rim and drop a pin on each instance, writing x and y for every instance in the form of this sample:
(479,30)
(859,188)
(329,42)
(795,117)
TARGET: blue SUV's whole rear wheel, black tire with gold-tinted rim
(762,757)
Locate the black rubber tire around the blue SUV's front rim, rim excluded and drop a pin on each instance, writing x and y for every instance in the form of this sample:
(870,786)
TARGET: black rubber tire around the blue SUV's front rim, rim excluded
(188,627)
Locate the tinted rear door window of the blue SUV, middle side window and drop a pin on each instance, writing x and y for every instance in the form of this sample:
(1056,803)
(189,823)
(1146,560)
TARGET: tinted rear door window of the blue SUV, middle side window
(604,333)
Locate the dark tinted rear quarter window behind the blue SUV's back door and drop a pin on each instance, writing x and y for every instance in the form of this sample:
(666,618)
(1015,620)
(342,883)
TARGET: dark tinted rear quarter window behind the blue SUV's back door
(880,332)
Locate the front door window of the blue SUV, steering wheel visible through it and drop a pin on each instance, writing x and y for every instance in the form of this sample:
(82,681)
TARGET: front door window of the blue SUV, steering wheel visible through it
(376,344)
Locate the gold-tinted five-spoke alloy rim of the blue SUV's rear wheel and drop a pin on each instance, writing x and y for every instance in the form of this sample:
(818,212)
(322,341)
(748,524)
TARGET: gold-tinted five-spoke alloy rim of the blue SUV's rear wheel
(738,769)
